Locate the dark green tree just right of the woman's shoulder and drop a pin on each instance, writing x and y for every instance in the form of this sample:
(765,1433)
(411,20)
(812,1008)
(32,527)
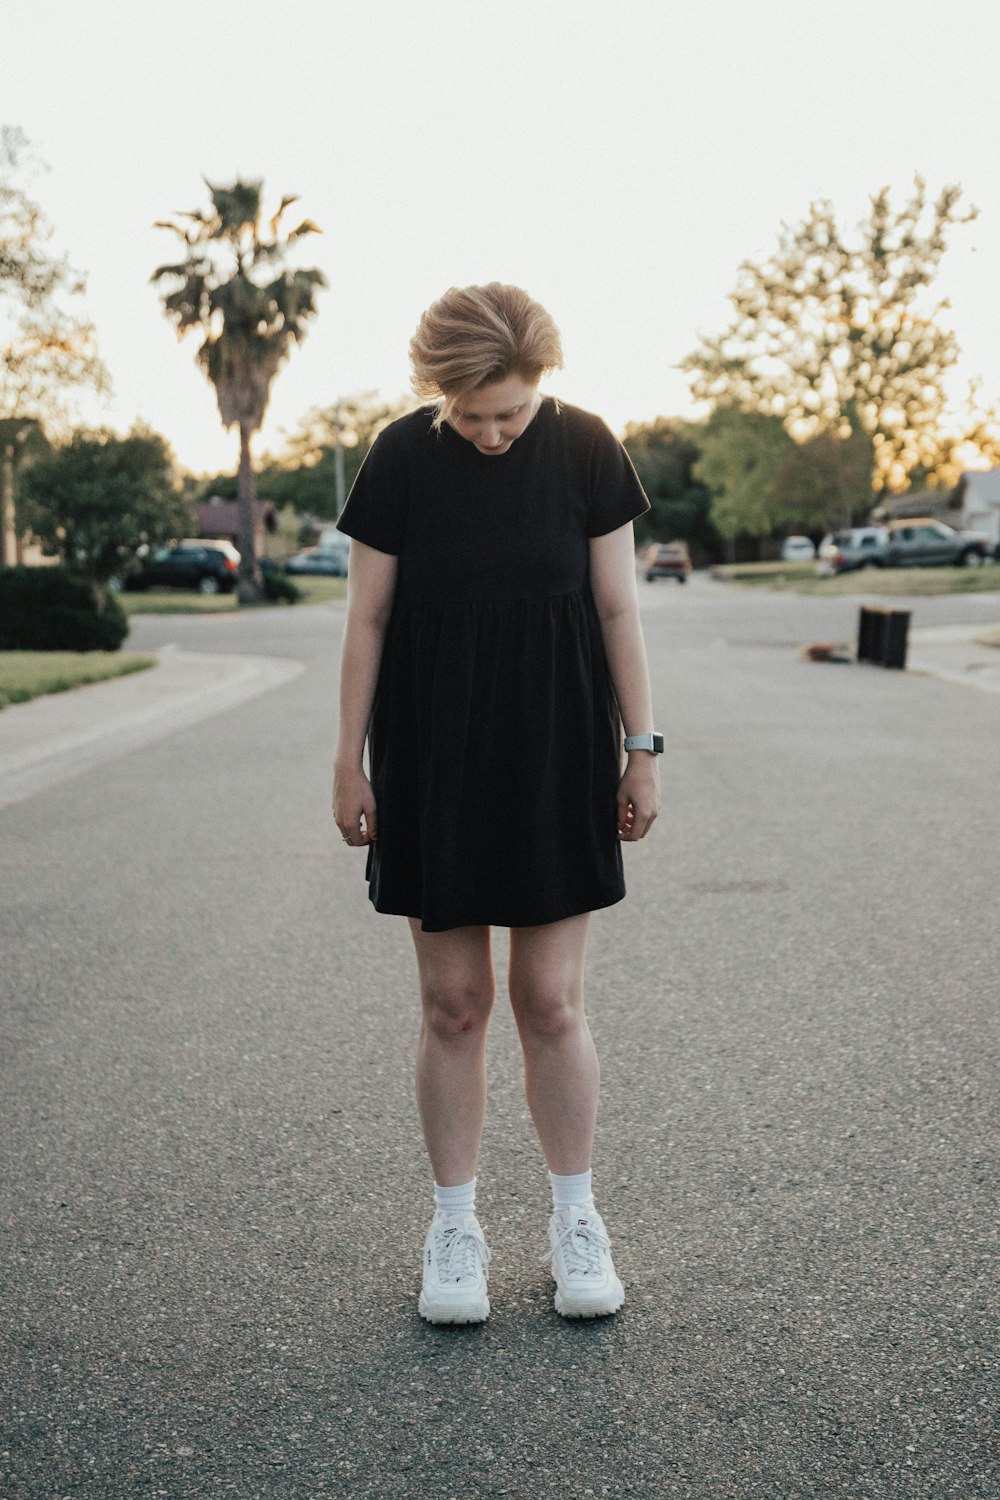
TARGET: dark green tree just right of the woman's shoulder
(665,454)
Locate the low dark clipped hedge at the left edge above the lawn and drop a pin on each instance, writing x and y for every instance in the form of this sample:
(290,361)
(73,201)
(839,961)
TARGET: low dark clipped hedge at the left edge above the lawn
(49,610)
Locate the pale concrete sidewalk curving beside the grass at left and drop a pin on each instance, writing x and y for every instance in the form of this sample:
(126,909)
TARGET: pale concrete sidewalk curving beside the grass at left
(61,736)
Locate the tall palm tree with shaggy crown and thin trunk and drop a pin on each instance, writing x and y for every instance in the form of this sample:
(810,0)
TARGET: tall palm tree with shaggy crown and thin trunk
(236,292)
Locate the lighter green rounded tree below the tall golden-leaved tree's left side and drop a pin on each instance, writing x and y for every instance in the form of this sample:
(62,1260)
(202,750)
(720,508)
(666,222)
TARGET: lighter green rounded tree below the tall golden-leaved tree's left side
(741,458)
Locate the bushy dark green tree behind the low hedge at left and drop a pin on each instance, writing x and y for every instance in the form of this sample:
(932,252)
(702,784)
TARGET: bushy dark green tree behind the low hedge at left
(100,497)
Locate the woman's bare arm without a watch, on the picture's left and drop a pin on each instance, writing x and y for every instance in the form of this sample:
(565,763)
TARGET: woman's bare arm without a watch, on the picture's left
(371,589)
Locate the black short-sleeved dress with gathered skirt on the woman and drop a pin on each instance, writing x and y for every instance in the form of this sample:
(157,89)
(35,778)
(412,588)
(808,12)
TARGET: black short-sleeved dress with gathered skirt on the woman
(496,737)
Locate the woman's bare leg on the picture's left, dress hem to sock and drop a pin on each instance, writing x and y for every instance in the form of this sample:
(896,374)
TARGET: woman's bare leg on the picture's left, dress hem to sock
(457,992)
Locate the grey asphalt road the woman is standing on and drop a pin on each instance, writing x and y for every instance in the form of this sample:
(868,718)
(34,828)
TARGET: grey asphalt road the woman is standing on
(214,1184)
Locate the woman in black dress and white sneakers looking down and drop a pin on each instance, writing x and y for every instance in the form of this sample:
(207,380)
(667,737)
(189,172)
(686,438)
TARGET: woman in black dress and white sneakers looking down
(491,656)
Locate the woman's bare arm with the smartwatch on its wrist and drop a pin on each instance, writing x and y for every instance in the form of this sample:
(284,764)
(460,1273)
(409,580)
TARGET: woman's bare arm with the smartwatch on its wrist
(614,587)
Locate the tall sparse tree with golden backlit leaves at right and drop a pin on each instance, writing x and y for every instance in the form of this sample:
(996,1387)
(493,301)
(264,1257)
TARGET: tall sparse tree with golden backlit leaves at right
(843,335)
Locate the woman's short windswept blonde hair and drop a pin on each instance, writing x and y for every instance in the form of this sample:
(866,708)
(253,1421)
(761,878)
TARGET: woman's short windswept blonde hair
(478,337)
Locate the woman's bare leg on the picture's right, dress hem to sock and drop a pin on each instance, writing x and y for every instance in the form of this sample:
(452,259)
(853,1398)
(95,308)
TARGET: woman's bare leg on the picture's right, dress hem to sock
(563,1076)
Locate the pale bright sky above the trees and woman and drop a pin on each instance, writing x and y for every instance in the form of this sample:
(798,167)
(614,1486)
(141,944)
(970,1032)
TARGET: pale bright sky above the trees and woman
(617,160)
